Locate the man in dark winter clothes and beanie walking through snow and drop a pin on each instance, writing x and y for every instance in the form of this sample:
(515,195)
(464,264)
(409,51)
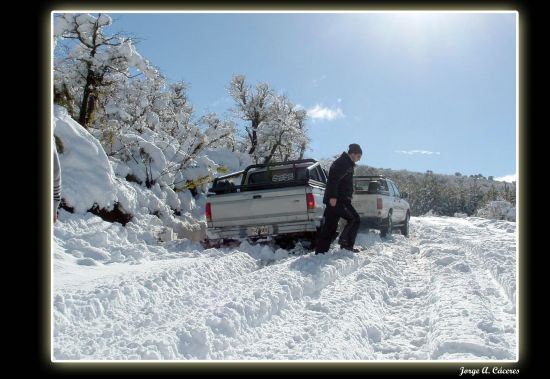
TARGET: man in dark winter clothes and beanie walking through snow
(337,198)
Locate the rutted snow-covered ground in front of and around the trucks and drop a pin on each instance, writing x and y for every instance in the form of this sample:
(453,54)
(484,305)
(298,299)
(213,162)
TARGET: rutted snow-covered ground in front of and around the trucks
(446,293)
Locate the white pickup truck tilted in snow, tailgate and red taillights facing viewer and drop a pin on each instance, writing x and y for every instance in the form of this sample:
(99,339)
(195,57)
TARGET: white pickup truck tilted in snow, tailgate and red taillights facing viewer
(281,201)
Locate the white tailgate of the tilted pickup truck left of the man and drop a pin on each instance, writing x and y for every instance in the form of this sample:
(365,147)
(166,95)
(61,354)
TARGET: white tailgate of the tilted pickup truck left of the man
(259,207)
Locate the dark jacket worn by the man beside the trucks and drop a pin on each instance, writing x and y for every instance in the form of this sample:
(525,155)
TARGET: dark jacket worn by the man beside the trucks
(340,179)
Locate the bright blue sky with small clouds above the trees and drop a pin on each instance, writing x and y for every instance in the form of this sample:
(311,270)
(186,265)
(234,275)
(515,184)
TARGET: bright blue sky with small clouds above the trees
(418,91)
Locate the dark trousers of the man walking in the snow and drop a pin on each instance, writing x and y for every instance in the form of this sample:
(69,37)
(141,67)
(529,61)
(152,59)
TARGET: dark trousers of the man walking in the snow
(332,216)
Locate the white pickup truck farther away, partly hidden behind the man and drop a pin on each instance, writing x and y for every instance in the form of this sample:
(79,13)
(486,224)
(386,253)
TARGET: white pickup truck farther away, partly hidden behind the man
(380,205)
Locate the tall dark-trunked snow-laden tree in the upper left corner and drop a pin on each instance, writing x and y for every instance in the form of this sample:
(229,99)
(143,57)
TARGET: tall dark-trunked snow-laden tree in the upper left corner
(89,62)
